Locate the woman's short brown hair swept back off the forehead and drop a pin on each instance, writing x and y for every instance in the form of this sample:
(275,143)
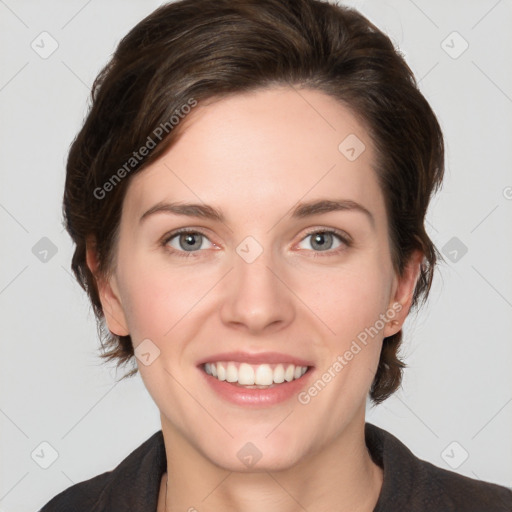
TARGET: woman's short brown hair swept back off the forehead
(202,50)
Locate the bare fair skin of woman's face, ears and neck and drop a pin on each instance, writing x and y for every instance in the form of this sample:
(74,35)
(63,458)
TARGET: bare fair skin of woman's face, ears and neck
(254,156)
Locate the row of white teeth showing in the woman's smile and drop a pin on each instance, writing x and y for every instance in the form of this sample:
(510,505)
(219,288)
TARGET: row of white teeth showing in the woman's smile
(246,374)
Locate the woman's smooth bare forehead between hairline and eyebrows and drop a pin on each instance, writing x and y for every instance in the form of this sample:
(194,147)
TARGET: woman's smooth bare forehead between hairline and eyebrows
(260,152)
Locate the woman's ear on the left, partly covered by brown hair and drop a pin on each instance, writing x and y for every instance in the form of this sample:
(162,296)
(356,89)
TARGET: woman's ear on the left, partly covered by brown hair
(108,293)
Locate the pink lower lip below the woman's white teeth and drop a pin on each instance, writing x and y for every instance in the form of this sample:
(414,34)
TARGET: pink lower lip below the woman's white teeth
(257,397)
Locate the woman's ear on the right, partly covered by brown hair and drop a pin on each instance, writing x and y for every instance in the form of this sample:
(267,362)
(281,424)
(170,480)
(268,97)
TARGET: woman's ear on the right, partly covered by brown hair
(403,293)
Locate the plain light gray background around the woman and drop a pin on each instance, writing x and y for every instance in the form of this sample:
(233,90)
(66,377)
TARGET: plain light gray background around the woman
(455,407)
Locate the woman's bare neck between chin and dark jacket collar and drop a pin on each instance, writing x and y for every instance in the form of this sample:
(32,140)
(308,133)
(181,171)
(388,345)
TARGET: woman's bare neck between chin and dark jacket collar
(341,476)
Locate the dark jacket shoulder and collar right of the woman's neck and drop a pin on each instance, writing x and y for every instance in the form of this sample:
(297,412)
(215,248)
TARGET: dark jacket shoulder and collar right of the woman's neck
(413,484)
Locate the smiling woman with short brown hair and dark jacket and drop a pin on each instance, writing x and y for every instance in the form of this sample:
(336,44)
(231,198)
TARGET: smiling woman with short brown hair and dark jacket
(247,197)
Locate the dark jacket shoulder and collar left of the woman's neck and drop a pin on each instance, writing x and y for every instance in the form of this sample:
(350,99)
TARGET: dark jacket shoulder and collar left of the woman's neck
(132,485)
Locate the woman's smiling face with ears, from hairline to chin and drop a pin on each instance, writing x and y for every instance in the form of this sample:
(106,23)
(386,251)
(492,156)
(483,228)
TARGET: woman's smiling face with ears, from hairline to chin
(283,268)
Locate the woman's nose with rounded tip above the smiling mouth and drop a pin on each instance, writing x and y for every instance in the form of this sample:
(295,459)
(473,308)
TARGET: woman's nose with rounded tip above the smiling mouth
(258,299)
